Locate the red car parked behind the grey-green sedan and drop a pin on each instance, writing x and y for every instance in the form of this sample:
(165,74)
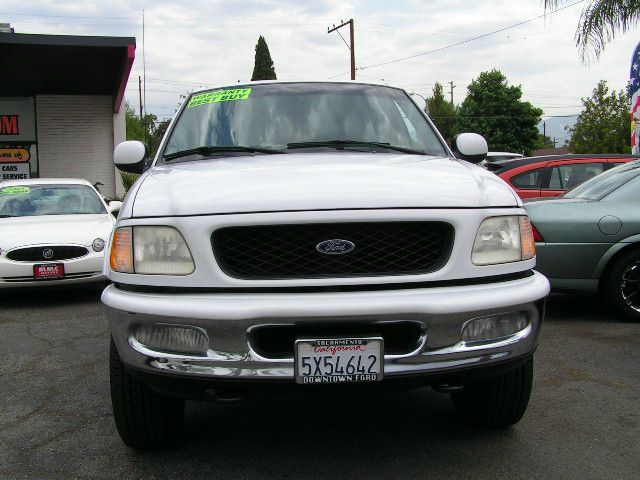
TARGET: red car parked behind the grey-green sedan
(553,175)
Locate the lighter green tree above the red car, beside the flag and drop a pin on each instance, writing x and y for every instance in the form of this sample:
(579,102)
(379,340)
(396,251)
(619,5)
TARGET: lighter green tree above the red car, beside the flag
(603,126)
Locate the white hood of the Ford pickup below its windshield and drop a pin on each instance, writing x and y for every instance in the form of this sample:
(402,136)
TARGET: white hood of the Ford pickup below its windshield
(317,181)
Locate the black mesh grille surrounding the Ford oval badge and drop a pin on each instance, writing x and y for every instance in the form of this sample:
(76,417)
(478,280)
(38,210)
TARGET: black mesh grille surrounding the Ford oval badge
(289,251)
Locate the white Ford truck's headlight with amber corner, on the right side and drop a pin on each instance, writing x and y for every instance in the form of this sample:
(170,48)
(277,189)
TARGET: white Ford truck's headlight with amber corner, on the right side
(503,240)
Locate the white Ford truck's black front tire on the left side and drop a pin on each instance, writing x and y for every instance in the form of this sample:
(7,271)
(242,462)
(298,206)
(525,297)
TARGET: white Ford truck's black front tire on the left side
(143,418)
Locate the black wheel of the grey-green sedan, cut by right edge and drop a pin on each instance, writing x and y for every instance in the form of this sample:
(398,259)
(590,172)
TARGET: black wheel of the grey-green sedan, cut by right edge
(621,285)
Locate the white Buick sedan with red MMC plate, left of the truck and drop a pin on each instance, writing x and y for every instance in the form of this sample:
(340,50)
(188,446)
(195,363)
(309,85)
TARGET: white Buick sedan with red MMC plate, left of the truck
(52,232)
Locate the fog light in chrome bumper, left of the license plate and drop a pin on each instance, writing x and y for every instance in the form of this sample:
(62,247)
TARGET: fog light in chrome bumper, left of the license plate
(173,338)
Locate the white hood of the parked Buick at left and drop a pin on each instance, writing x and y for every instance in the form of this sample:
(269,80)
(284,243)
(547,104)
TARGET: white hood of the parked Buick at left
(54,230)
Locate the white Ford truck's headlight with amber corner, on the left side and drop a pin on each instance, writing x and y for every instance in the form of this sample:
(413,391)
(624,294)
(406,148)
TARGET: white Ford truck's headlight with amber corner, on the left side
(150,250)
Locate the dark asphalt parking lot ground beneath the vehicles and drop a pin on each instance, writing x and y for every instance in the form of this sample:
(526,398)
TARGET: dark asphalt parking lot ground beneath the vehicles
(56,422)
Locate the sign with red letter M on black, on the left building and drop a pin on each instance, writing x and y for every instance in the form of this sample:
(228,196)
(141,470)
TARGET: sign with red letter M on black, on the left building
(17,120)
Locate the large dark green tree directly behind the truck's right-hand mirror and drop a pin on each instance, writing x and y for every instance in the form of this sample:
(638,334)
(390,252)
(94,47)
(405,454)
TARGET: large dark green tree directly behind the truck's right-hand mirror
(494,109)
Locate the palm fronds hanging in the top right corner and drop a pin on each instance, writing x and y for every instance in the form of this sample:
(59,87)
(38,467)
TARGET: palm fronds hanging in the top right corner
(600,21)
